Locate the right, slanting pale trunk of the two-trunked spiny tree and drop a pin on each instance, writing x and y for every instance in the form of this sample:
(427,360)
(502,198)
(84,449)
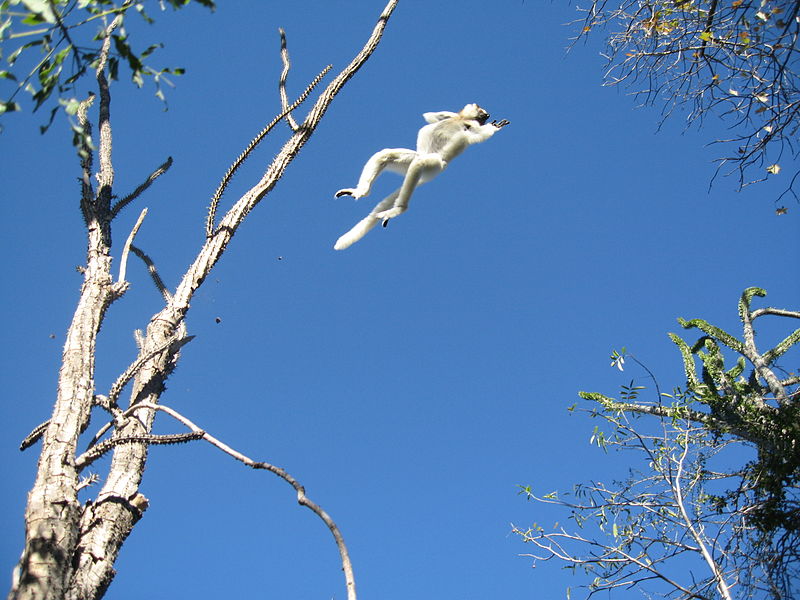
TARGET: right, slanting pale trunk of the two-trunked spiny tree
(113,507)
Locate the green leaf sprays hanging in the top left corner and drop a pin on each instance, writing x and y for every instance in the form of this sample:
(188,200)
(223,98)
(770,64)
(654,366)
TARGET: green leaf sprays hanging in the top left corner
(65,33)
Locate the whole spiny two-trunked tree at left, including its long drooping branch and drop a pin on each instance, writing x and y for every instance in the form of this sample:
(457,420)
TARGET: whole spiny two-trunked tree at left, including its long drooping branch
(70,546)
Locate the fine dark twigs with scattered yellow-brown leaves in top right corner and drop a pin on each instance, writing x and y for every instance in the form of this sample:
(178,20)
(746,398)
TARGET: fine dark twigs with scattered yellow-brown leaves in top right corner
(736,58)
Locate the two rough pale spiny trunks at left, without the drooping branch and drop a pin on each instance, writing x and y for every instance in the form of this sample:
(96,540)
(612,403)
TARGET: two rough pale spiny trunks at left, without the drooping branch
(70,548)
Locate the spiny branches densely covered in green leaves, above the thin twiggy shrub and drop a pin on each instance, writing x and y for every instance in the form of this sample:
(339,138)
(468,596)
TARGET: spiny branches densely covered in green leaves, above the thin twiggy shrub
(735,392)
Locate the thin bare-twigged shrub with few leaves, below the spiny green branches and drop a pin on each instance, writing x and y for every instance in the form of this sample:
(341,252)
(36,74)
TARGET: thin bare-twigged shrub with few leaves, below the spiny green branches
(635,532)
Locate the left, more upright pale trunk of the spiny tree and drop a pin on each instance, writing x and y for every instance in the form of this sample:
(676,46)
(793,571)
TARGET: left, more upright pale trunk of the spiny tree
(53,512)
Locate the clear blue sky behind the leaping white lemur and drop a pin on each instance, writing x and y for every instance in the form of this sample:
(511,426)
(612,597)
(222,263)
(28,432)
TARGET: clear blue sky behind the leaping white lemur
(412,381)
